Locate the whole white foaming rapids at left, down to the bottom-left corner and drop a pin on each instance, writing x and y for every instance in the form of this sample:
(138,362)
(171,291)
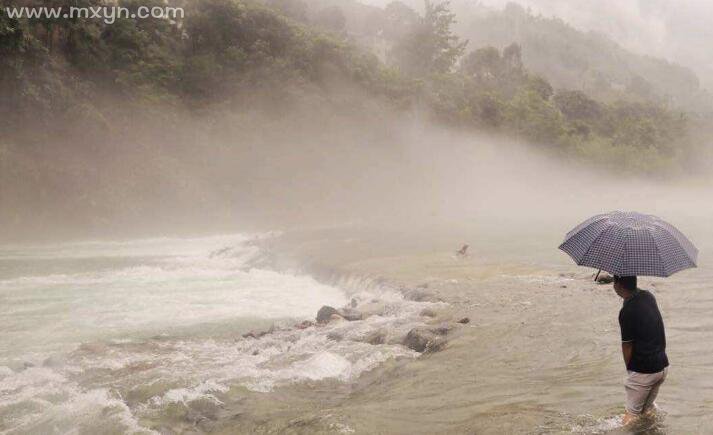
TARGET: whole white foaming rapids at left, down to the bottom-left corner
(99,350)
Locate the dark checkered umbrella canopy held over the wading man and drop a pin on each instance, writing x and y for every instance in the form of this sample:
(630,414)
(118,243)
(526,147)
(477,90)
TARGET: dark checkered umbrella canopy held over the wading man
(629,244)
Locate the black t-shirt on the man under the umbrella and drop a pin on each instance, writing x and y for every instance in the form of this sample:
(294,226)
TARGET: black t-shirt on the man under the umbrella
(641,324)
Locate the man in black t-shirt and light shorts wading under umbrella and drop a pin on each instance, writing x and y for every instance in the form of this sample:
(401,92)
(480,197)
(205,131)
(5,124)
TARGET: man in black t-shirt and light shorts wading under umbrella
(643,343)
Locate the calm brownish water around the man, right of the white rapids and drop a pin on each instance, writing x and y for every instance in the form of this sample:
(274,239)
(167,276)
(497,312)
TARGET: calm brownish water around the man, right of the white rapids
(541,354)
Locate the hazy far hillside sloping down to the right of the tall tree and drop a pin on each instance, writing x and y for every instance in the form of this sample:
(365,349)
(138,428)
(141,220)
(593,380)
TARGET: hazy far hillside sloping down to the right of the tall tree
(587,61)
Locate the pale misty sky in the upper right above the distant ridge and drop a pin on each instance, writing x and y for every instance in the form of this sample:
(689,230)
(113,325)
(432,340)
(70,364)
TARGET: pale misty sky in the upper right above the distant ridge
(677,30)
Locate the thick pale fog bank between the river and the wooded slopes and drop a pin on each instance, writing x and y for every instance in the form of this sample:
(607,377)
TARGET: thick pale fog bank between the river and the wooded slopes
(309,168)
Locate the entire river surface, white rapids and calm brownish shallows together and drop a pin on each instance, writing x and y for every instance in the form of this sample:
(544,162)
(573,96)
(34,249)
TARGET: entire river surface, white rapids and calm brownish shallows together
(145,336)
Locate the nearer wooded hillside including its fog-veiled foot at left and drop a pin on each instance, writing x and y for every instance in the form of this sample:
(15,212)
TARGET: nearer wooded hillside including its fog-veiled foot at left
(103,124)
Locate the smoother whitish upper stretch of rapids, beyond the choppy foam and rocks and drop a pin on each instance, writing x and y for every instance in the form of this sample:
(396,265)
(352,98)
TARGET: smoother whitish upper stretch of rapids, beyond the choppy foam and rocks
(188,285)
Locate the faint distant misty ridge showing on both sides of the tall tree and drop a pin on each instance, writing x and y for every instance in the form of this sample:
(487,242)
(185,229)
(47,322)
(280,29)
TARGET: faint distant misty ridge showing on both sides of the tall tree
(569,58)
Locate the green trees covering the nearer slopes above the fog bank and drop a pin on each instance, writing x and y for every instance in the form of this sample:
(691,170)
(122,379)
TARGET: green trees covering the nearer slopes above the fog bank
(63,76)
